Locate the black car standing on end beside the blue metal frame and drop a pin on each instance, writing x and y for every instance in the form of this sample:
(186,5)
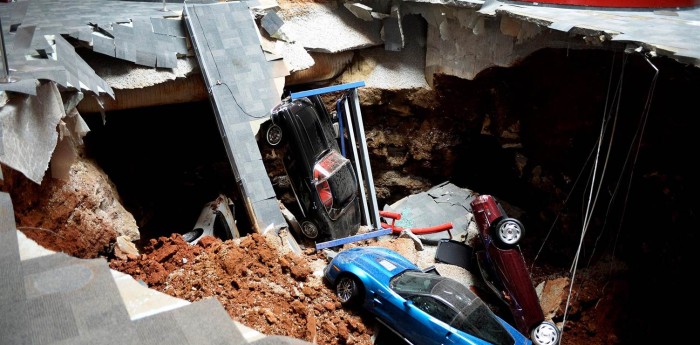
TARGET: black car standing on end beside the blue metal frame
(323,181)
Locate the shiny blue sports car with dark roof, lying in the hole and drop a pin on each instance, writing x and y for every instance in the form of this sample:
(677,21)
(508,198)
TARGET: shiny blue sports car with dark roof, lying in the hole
(421,307)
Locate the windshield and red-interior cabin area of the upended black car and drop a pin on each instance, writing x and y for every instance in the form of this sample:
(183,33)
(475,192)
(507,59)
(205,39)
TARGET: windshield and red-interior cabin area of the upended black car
(335,182)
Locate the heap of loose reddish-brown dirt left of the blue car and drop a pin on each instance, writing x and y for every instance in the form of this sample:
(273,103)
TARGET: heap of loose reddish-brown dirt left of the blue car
(258,284)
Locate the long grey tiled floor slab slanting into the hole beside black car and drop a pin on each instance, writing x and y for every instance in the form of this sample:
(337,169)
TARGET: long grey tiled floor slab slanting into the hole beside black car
(242,89)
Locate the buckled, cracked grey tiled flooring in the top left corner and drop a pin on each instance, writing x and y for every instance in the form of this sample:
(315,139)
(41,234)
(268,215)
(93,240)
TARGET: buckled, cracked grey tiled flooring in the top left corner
(139,32)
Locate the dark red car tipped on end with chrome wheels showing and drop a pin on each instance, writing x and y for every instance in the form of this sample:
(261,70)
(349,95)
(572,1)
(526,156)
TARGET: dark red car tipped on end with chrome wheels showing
(504,270)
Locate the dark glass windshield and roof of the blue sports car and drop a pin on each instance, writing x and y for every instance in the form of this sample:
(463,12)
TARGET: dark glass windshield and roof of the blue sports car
(452,303)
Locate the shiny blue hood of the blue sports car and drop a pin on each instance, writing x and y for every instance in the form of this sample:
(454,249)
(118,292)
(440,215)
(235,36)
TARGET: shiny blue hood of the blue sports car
(380,263)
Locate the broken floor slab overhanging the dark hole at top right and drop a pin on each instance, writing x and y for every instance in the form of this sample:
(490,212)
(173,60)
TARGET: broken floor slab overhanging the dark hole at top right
(467,37)
